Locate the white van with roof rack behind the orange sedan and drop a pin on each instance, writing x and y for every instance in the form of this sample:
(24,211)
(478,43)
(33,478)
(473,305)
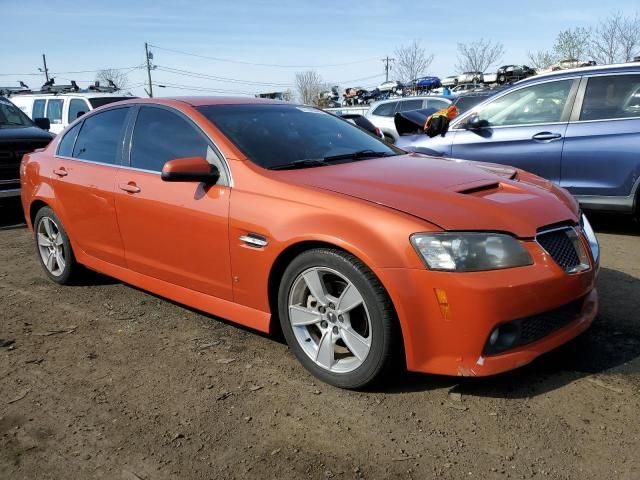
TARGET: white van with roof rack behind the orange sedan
(62,108)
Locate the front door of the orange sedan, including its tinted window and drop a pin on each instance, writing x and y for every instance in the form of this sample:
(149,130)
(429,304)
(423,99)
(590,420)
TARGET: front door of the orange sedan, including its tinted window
(176,232)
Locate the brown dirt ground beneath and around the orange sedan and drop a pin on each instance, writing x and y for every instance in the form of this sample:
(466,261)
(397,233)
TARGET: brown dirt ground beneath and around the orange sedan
(106,381)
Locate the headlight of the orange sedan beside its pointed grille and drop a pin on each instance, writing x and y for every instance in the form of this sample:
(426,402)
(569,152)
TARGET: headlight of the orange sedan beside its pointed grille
(470,251)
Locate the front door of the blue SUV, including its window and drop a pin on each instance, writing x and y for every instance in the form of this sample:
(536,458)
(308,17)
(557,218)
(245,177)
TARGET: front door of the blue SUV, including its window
(523,127)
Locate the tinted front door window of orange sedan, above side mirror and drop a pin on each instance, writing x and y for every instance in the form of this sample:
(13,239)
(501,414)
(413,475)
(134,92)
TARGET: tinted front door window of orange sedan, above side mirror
(161,135)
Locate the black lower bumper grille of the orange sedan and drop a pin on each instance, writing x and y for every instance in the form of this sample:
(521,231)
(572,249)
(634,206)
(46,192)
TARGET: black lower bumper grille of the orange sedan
(530,329)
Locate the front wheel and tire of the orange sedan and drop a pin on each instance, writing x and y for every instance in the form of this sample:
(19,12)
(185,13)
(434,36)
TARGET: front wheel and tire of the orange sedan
(346,332)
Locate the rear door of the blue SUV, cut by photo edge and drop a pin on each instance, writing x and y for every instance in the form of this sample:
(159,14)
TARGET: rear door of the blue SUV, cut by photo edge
(601,153)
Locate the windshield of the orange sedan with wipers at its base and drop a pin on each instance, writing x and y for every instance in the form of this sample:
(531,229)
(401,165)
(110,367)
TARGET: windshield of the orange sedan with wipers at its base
(279,135)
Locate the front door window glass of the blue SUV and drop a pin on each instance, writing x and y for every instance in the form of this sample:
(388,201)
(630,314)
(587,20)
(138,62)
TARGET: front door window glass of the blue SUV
(541,103)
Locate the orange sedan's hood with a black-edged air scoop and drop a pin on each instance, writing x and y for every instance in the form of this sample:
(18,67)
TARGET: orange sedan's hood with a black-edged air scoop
(452,194)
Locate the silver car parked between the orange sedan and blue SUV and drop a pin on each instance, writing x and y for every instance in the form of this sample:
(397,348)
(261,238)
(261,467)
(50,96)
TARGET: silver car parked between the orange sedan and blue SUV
(381,113)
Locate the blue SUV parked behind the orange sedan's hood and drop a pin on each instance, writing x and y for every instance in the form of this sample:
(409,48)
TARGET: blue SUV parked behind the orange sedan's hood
(579,128)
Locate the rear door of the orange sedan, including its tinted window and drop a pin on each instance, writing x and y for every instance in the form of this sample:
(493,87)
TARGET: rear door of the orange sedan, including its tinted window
(84,173)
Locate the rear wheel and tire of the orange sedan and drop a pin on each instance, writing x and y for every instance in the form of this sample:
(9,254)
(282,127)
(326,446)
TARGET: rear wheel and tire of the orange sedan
(53,247)
